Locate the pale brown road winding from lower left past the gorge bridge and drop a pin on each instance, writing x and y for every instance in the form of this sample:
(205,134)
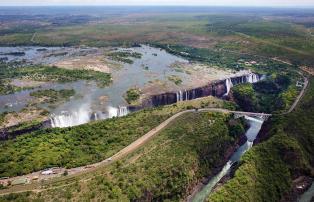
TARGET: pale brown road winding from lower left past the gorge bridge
(132,147)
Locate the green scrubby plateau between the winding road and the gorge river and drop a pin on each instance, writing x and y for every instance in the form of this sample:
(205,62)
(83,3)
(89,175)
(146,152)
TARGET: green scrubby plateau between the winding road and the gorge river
(164,169)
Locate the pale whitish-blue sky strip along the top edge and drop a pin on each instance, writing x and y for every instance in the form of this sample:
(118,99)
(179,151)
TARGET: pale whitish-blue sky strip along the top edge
(283,3)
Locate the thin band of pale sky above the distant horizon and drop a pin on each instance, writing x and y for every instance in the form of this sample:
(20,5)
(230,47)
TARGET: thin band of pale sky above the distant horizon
(170,3)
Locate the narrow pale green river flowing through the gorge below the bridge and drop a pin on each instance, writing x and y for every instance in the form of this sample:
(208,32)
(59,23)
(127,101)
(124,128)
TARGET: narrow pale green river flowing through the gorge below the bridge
(251,133)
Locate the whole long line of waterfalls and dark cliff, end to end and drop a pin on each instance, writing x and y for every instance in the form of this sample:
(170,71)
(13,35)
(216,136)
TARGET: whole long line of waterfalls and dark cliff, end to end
(218,89)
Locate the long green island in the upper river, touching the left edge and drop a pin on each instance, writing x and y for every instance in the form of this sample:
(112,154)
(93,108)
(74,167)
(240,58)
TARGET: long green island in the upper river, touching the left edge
(47,73)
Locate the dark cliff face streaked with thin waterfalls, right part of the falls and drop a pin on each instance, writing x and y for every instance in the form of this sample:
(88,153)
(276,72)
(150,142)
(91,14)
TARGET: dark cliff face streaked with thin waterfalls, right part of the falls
(217,89)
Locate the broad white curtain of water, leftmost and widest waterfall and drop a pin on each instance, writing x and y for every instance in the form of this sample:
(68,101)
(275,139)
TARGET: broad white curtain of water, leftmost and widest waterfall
(68,119)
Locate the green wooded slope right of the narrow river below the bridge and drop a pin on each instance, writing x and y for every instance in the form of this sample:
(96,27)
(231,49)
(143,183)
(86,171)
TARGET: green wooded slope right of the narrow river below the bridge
(266,172)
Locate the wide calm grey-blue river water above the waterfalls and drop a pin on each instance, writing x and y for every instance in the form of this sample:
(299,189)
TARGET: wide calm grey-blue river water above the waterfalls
(88,93)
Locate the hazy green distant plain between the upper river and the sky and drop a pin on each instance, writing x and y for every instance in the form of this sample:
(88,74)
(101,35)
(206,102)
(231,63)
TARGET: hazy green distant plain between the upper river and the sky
(251,34)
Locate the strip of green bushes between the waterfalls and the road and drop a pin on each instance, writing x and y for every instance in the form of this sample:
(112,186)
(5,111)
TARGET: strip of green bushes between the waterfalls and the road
(80,145)
